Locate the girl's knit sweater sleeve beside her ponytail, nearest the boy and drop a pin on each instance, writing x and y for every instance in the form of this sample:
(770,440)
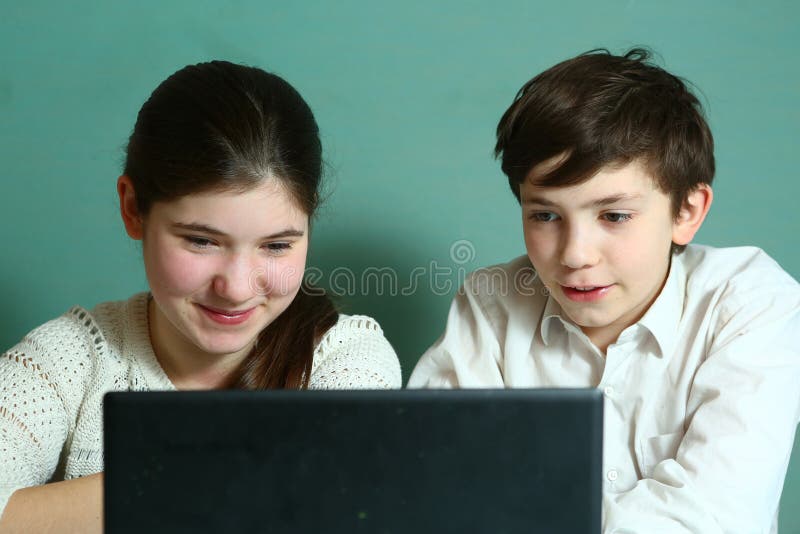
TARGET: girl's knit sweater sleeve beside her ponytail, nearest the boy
(354,354)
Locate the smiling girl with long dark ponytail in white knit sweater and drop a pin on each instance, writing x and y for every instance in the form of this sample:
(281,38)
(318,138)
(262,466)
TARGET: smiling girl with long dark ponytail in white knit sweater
(220,183)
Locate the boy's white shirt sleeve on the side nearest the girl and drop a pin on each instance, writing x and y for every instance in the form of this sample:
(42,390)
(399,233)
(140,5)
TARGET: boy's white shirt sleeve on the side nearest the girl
(468,352)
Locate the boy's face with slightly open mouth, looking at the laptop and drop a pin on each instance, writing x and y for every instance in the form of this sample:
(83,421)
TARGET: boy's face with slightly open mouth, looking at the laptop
(601,247)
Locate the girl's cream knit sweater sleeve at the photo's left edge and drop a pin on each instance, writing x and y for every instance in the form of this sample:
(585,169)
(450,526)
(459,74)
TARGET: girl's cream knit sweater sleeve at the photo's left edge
(39,388)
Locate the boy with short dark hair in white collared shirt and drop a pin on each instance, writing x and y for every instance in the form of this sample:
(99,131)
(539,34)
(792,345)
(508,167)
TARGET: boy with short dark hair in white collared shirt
(695,348)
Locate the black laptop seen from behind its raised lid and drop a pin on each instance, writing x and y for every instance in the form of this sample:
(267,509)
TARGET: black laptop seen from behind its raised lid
(303,462)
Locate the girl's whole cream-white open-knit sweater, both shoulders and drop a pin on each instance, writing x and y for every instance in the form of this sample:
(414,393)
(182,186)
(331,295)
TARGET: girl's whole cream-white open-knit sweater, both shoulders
(52,384)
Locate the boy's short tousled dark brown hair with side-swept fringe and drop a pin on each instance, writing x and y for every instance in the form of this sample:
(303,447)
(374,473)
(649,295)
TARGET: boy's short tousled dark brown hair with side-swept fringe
(600,109)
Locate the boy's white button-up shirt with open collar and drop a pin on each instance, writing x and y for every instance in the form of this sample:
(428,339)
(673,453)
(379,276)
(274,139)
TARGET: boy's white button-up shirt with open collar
(702,395)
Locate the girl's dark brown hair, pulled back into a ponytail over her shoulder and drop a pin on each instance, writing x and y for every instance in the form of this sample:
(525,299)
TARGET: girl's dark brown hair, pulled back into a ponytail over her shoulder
(219,126)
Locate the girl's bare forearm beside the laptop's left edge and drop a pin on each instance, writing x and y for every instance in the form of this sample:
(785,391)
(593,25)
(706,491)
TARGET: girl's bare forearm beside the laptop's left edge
(69,506)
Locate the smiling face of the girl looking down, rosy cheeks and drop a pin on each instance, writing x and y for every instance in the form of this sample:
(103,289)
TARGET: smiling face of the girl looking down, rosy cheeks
(221,267)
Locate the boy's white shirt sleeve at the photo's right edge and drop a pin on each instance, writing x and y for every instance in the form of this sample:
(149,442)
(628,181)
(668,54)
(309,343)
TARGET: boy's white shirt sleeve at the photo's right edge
(742,411)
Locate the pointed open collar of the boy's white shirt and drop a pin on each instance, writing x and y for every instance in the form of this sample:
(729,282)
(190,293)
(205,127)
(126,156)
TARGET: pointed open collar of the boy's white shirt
(661,319)
